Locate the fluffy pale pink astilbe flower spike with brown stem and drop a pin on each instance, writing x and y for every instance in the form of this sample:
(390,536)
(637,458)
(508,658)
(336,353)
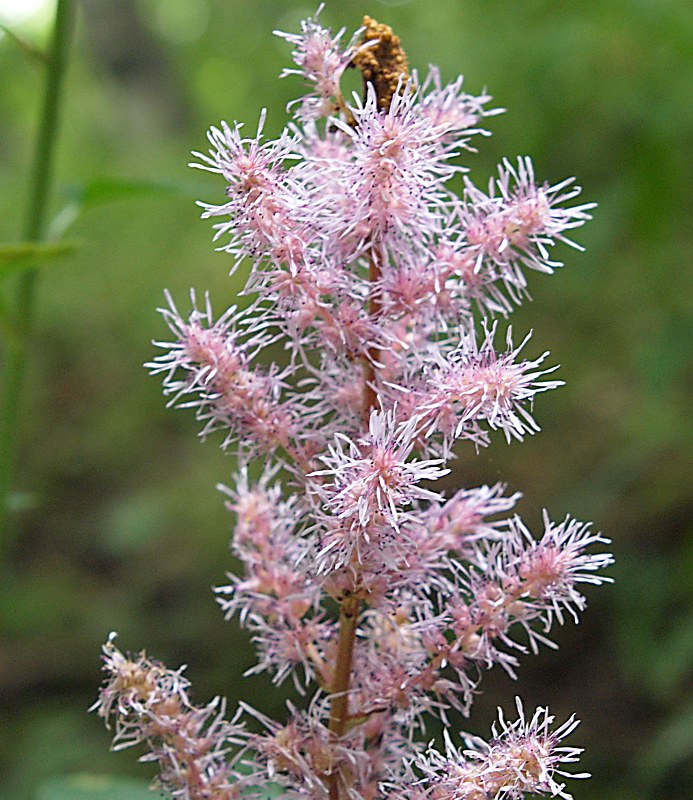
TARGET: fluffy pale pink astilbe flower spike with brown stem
(381,599)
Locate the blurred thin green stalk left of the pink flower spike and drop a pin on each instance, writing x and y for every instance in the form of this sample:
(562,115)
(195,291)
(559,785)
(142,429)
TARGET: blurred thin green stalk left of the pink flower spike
(34,230)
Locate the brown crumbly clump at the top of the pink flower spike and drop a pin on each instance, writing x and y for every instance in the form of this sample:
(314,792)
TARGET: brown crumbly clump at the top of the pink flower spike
(384,64)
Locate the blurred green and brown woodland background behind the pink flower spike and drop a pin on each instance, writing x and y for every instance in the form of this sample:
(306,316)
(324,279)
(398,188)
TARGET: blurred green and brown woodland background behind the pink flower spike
(118,525)
